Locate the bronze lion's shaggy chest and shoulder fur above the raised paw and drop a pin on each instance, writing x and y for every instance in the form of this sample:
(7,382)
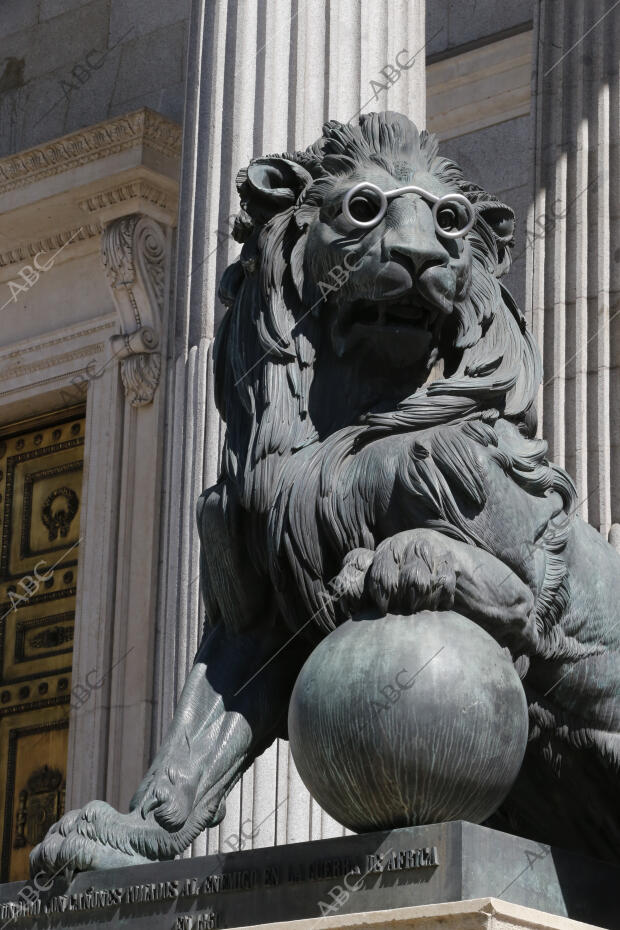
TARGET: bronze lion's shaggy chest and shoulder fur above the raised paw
(463,480)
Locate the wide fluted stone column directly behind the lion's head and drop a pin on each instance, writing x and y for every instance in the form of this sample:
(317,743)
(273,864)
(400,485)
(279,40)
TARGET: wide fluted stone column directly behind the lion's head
(262,77)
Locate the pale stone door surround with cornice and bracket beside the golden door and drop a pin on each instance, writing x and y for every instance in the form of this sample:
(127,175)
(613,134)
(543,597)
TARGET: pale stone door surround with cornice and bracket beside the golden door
(111,194)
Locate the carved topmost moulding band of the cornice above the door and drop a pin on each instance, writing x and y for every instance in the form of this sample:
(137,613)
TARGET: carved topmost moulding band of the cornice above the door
(141,128)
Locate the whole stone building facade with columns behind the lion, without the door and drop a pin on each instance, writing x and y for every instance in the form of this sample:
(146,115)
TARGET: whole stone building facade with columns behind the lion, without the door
(89,174)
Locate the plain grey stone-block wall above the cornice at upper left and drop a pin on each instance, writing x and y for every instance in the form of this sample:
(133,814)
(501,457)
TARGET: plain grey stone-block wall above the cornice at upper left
(70,63)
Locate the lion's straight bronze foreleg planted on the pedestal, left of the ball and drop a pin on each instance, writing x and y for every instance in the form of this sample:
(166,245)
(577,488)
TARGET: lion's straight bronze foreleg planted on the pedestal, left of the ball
(233,705)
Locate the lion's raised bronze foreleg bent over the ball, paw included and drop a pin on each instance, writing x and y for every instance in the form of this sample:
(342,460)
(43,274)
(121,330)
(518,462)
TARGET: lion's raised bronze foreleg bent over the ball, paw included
(422,569)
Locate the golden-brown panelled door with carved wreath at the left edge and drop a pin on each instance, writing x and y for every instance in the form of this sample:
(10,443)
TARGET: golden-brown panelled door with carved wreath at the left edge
(40,496)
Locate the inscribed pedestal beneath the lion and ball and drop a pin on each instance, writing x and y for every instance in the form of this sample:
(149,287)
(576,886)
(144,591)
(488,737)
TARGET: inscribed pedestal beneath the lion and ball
(455,874)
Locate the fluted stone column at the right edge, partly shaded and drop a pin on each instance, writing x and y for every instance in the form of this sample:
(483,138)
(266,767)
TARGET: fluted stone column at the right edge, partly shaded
(574,264)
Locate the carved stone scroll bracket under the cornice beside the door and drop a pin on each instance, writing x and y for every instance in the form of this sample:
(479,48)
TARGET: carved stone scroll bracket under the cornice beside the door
(134,252)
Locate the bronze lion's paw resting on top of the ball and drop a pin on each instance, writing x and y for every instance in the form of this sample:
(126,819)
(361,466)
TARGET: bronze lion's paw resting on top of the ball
(409,572)
